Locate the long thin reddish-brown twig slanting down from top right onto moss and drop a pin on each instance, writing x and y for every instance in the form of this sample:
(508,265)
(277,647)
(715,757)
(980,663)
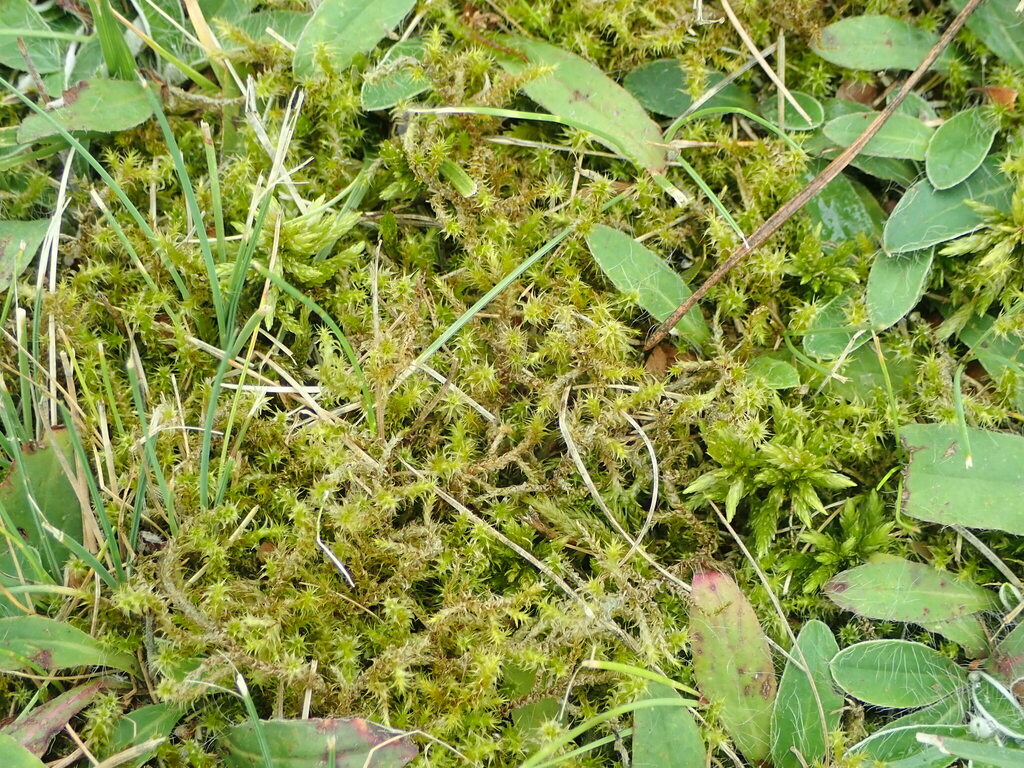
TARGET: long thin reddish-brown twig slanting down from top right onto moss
(842,160)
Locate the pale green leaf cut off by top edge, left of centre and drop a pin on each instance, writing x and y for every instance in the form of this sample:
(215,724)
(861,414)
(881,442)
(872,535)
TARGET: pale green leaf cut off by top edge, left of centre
(343,29)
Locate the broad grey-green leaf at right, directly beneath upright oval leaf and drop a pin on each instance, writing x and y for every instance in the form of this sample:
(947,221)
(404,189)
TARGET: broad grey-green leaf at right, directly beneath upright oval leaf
(927,217)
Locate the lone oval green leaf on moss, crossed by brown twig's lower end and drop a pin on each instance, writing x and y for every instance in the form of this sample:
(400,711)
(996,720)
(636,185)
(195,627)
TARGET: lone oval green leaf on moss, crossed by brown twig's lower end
(635,270)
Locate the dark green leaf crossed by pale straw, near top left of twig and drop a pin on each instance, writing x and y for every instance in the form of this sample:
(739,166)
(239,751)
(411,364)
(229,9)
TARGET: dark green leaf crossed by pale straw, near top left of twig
(663,88)
